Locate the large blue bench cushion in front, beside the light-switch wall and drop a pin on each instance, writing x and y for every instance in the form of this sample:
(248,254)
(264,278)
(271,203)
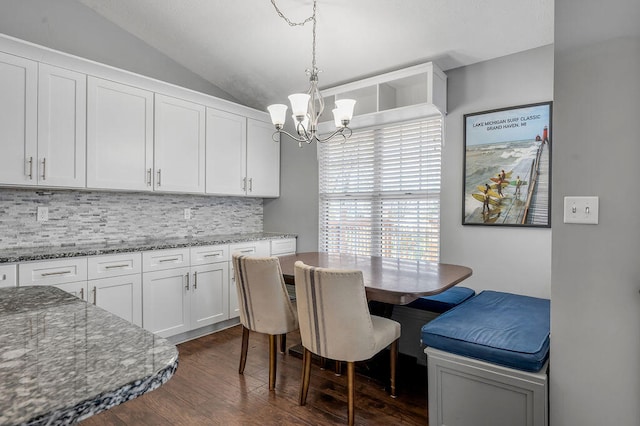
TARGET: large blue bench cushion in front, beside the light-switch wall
(501,328)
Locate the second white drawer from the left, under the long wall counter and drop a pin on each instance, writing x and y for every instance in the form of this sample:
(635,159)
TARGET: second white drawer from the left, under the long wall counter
(53,272)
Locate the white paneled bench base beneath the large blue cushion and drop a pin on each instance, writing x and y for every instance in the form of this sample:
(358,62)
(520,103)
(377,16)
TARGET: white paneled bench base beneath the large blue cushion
(468,392)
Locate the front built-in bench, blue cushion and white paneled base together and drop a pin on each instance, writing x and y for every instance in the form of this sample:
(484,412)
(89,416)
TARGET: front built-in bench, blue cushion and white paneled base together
(487,361)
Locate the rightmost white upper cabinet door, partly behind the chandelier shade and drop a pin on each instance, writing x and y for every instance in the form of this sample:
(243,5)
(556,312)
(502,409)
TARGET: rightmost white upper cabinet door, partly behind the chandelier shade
(263,160)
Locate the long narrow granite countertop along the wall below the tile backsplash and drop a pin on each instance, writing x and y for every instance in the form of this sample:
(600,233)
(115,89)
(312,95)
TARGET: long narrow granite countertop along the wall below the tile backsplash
(25,254)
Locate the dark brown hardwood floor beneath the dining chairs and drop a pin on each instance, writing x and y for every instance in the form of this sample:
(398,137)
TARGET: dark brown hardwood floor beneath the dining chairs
(207,390)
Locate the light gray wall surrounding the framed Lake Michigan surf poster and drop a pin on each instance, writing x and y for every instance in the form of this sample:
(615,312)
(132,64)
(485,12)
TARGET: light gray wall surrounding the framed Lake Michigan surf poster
(515,260)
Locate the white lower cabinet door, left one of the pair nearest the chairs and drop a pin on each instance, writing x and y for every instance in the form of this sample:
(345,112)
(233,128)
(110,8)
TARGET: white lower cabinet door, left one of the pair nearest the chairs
(166,301)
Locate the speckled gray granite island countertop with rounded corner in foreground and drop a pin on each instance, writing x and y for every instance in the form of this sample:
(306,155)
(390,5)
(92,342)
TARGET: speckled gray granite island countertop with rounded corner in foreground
(63,360)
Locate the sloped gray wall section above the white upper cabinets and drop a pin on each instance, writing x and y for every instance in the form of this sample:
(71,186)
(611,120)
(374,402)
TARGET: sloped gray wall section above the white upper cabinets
(73,28)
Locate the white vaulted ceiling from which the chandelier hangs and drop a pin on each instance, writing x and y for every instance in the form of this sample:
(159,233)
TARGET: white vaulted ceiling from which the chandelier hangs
(247,50)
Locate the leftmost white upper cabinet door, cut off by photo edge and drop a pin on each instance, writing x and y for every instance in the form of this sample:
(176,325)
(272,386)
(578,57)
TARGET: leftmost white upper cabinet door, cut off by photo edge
(18,120)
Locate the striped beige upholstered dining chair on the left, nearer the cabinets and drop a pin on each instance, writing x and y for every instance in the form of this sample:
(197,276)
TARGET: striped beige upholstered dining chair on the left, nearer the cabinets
(265,306)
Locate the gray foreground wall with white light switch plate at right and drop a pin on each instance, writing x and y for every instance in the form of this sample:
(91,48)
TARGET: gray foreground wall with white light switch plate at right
(595,271)
